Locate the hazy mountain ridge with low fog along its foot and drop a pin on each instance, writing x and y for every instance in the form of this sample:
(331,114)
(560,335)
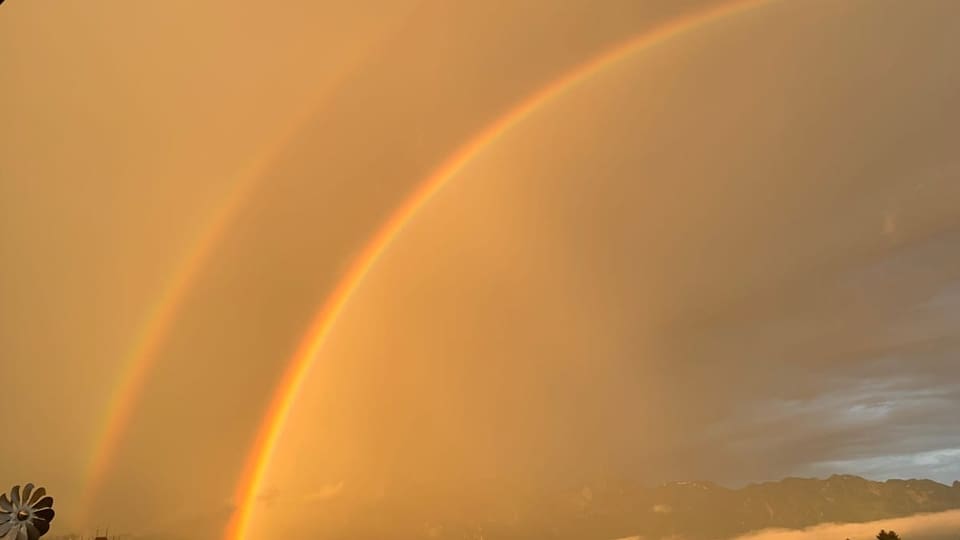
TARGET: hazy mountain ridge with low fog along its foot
(698,510)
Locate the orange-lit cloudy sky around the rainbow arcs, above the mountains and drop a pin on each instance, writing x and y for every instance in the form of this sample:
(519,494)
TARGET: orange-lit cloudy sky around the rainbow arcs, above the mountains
(735,256)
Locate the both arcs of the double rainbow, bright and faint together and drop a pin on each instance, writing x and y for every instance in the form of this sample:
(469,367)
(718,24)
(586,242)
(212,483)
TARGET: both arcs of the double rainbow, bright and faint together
(150,341)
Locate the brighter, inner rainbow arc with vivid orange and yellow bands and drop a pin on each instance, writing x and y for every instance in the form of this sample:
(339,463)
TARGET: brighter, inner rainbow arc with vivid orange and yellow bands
(299,366)
